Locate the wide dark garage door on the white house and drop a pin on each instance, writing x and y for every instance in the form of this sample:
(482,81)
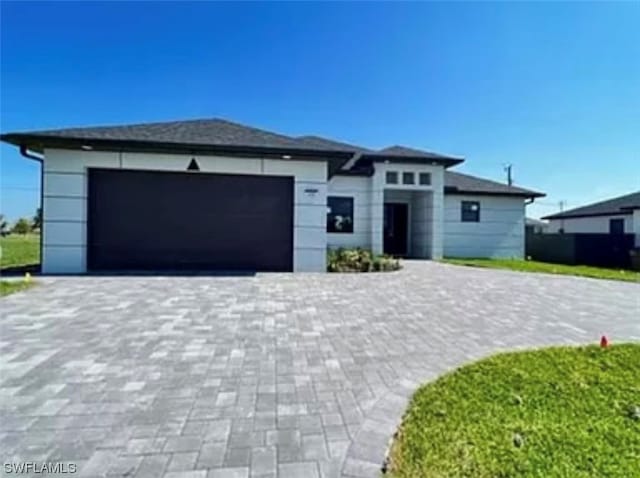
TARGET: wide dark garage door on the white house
(148,220)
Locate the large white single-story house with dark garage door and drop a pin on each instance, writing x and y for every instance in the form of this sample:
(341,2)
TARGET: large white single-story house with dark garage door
(212,194)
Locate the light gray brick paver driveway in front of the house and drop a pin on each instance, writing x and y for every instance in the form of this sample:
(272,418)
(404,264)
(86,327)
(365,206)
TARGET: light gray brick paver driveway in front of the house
(275,375)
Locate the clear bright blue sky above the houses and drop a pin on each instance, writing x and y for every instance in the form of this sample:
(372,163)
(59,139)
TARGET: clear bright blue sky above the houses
(553,88)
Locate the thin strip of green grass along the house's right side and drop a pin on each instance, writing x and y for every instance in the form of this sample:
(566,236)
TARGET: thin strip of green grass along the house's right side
(534,266)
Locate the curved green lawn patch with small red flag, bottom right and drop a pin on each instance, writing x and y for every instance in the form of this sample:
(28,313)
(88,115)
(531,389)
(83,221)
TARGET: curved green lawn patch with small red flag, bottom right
(556,412)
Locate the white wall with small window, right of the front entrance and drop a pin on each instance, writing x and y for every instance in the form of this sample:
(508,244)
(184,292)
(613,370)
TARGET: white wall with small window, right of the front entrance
(500,232)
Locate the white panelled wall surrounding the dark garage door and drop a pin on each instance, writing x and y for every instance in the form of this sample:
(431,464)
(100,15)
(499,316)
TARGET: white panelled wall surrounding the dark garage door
(65,200)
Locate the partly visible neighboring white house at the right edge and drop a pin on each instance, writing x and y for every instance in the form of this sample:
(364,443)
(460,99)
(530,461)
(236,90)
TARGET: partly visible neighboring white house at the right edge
(620,215)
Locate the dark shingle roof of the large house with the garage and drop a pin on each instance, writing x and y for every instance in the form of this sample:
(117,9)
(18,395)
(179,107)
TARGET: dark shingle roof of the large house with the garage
(222,135)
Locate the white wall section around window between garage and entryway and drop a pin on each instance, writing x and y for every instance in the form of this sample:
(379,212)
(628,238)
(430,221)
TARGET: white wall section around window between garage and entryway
(358,188)
